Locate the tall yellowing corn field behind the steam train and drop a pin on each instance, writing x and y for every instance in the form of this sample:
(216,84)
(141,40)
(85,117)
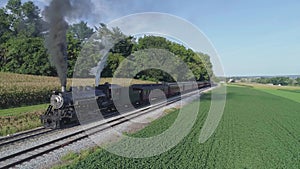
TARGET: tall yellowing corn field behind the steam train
(18,90)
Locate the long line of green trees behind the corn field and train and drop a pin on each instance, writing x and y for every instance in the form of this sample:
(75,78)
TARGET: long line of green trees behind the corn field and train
(23,31)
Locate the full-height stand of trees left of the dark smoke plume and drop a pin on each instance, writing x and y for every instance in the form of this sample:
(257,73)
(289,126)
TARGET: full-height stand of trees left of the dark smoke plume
(21,48)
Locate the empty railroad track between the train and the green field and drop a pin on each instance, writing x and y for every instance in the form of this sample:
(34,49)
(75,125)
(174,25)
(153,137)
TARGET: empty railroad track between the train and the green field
(54,144)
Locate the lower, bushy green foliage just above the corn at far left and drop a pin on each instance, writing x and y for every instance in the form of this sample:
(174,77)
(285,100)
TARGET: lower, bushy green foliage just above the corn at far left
(26,56)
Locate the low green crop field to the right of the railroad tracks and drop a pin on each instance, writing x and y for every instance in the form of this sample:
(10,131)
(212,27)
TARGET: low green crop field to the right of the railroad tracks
(258,130)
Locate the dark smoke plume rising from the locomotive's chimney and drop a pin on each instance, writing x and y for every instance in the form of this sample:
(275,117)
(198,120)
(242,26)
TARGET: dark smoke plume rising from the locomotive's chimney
(56,42)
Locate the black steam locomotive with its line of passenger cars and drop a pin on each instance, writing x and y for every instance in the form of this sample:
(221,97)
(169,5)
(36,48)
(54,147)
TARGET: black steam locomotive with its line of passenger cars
(62,109)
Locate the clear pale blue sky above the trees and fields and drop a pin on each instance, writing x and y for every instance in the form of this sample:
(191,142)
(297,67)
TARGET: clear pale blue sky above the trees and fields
(252,38)
